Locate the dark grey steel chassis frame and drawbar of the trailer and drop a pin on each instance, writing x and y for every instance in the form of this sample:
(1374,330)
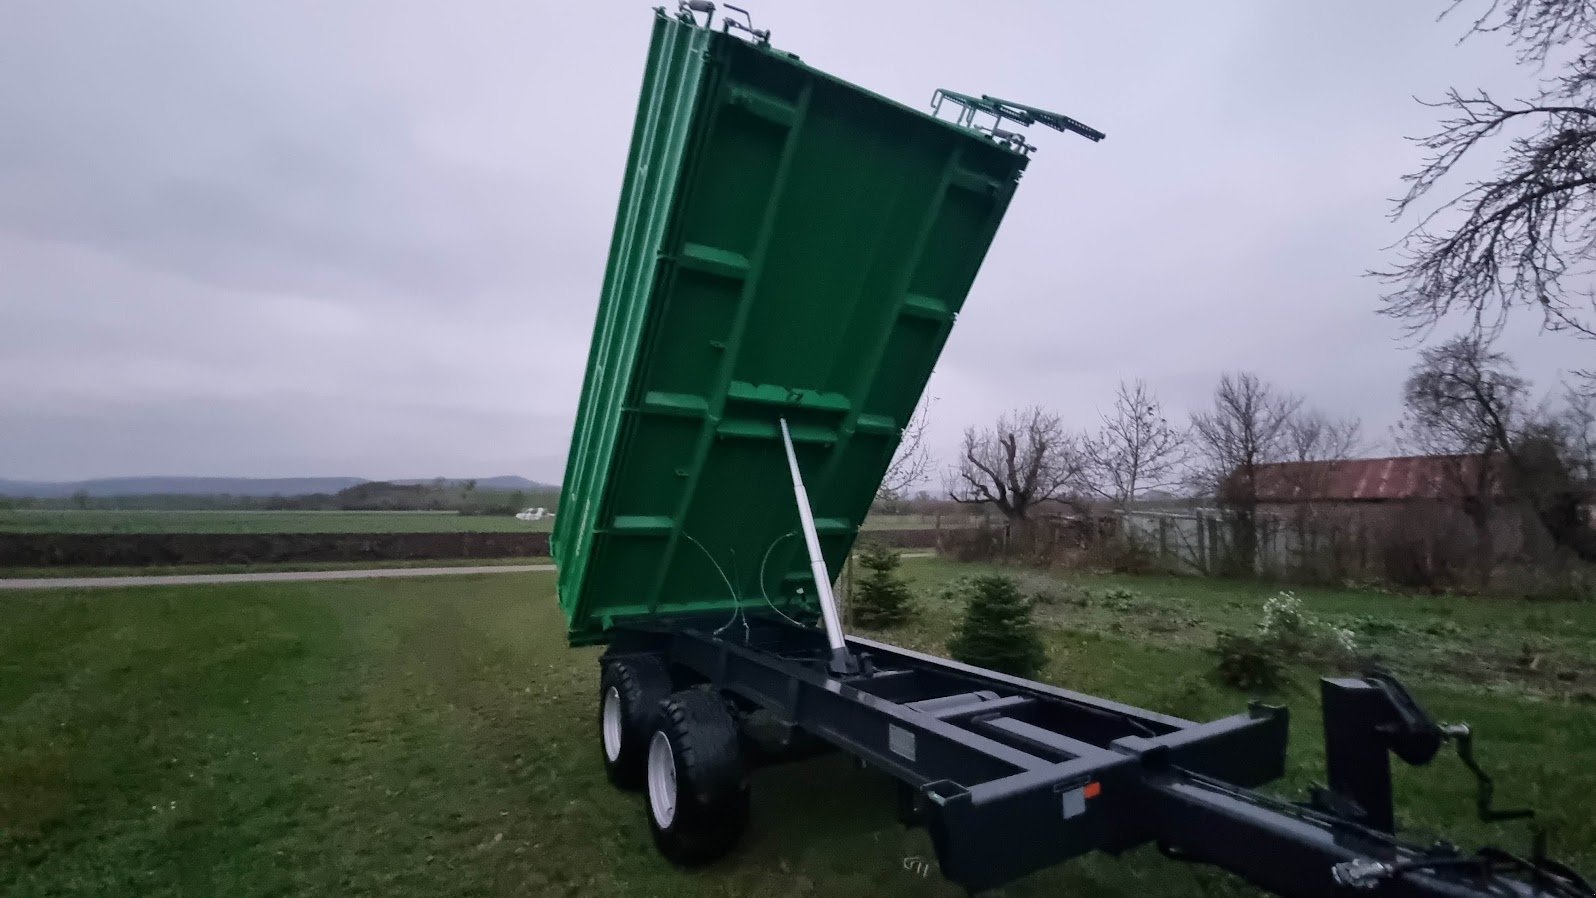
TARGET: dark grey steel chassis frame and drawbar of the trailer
(1000,768)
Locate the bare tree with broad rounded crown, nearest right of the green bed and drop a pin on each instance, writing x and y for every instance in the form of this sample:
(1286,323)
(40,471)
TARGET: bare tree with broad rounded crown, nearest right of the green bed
(1024,460)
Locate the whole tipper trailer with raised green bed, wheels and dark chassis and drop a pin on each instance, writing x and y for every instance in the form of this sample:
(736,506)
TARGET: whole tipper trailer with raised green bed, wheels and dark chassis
(789,258)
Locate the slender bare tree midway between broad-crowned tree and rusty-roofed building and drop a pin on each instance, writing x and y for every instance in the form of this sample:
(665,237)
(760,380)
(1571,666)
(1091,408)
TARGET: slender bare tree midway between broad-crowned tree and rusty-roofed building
(1137,449)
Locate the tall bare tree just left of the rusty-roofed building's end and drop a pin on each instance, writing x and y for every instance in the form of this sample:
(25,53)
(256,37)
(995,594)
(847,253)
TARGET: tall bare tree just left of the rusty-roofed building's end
(1246,430)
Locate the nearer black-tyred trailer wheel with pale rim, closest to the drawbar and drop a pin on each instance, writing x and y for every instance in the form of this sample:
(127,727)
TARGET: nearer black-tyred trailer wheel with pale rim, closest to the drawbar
(698,789)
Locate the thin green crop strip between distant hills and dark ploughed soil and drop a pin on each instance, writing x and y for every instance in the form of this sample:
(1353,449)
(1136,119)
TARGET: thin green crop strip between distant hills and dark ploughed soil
(36,521)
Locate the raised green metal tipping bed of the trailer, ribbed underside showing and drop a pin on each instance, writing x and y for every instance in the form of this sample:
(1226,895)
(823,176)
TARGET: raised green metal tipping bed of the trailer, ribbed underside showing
(788,246)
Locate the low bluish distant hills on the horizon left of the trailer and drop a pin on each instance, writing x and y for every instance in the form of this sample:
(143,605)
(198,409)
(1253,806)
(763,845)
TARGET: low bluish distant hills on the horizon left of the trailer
(259,487)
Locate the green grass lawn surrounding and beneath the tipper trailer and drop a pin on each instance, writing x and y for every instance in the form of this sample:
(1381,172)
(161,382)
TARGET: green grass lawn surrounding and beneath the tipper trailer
(435,738)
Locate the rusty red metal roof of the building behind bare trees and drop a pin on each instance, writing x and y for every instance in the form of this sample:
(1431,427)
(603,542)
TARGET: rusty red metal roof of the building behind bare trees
(1372,479)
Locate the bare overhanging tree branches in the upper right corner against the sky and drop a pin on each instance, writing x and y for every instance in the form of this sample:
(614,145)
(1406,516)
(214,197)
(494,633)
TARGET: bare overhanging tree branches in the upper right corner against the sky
(1522,237)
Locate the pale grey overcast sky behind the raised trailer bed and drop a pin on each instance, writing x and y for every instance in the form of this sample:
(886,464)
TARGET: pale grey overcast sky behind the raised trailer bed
(368,238)
